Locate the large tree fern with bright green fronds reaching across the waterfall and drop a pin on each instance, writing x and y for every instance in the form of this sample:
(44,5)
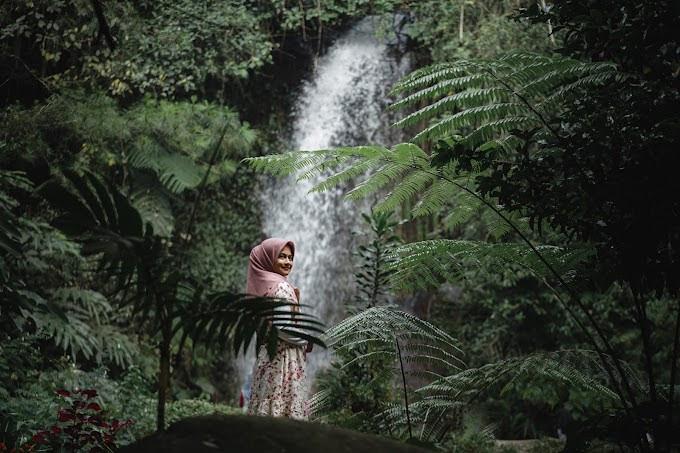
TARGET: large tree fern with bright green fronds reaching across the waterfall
(507,106)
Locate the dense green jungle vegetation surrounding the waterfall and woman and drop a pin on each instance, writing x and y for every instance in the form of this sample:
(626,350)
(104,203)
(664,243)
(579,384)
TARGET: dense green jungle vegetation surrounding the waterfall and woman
(531,215)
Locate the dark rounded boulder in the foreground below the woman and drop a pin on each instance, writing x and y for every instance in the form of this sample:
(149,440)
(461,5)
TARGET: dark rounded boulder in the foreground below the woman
(244,434)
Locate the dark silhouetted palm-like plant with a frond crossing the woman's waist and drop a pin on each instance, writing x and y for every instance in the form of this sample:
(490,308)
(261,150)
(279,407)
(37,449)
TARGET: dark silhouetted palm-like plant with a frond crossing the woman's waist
(147,270)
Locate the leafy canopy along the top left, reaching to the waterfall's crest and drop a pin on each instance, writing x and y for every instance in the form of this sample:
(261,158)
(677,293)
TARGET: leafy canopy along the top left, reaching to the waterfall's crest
(196,48)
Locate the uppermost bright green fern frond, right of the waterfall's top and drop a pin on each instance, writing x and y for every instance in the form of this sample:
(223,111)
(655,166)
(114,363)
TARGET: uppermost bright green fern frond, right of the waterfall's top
(486,100)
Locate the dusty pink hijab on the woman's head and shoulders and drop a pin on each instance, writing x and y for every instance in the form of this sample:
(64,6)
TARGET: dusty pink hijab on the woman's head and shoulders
(261,275)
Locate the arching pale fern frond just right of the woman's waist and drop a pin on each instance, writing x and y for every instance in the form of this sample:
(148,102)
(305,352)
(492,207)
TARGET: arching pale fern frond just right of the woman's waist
(420,342)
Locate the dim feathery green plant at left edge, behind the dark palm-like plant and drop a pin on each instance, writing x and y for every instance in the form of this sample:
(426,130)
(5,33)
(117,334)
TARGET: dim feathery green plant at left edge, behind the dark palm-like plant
(79,321)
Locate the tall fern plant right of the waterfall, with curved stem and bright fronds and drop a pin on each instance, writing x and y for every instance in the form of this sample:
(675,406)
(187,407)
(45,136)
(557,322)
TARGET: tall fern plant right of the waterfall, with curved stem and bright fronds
(483,116)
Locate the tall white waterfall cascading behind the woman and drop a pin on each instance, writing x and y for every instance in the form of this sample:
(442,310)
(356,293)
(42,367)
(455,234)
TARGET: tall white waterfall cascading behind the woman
(343,104)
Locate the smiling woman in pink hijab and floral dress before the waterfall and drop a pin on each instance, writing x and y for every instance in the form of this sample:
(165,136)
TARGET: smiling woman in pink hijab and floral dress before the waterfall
(278,384)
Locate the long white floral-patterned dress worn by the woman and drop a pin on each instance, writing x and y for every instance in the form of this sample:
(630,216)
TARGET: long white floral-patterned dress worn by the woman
(278,385)
